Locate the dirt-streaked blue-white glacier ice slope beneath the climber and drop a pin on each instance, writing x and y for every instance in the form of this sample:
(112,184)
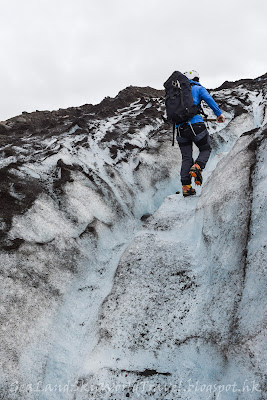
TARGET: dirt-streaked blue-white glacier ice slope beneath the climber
(112,285)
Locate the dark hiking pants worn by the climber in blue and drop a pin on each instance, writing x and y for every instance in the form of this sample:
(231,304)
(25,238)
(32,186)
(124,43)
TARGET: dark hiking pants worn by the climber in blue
(186,135)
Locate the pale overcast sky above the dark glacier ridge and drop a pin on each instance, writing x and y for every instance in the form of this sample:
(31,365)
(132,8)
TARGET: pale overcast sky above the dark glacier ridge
(62,53)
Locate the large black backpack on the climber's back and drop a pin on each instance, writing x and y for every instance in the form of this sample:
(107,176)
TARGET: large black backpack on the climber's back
(179,99)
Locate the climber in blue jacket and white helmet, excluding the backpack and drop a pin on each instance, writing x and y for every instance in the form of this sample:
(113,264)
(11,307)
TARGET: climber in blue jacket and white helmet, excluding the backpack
(195,131)
